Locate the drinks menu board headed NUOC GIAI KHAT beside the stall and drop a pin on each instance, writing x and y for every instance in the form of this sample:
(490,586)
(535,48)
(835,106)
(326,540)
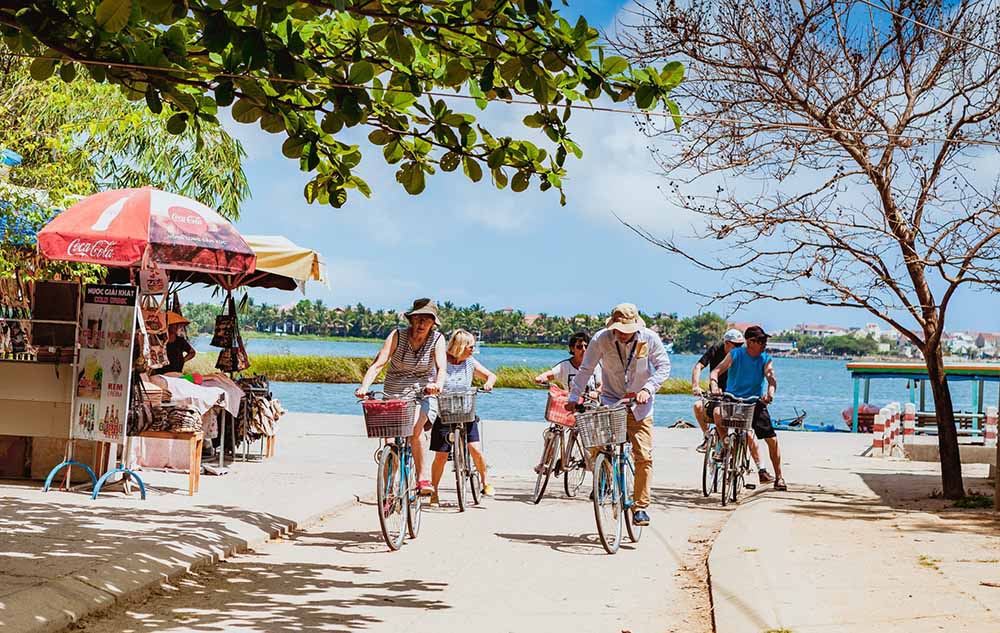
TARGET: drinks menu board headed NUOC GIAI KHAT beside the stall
(107,330)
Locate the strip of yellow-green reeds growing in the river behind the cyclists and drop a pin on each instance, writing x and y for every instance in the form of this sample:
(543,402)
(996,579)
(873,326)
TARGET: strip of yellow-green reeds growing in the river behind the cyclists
(342,370)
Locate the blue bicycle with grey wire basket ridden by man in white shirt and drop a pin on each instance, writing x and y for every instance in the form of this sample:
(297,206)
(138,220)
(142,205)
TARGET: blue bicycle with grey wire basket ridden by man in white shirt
(605,428)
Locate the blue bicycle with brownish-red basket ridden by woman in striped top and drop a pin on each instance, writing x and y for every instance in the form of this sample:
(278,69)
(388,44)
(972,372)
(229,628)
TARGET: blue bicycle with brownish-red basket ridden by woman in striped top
(391,422)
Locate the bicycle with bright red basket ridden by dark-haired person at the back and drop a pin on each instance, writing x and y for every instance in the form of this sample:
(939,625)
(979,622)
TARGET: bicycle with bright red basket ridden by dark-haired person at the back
(562,452)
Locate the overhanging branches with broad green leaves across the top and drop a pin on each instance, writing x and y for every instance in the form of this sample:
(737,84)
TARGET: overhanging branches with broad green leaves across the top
(313,68)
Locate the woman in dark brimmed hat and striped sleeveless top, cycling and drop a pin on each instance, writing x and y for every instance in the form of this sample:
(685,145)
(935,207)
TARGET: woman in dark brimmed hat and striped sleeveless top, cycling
(417,365)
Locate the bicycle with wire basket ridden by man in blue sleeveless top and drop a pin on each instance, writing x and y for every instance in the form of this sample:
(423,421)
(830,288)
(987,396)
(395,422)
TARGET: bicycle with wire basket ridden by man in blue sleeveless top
(734,459)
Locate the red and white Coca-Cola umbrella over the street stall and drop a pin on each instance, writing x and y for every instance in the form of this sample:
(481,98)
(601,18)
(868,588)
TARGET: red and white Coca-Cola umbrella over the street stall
(117,228)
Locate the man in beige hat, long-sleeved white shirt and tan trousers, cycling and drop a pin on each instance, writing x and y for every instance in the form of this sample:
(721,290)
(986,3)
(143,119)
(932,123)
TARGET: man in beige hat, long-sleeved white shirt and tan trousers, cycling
(633,361)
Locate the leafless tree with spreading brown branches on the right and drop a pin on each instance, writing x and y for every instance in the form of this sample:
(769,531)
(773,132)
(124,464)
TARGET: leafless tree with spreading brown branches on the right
(858,126)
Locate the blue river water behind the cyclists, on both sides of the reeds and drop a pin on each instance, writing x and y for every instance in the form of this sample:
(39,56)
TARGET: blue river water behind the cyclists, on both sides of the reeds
(820,387)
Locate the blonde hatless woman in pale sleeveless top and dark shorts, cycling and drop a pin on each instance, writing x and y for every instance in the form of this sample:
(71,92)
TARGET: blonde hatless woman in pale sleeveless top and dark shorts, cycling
(462,368)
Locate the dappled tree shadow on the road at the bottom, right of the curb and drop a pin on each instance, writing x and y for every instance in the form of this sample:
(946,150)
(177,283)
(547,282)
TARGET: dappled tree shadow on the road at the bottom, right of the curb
(251,594)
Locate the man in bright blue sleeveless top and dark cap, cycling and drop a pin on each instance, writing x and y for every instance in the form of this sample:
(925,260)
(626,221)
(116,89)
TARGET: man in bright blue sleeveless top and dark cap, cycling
(748,367)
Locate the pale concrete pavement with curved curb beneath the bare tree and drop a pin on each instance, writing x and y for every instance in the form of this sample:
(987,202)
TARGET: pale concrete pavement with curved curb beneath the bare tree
(857,544)
